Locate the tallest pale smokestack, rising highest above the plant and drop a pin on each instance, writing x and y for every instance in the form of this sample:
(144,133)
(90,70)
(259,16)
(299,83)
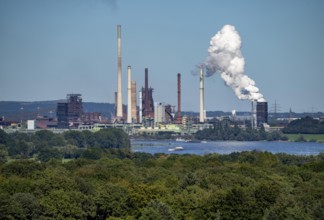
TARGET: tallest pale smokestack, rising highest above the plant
(119,77)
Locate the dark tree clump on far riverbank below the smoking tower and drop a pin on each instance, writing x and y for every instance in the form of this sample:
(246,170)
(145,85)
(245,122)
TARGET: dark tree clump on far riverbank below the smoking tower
(224,131)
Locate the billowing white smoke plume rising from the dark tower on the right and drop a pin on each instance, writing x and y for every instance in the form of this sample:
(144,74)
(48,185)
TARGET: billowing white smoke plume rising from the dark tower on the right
(225,57)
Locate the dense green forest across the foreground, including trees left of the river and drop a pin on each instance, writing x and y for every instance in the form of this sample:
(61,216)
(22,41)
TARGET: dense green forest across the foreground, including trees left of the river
(108,181)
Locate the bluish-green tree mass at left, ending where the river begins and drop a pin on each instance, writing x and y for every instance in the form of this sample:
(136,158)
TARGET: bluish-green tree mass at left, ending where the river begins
(45,145)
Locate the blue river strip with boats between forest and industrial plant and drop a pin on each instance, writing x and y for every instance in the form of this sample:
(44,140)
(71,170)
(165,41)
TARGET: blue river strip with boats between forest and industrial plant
(225,147)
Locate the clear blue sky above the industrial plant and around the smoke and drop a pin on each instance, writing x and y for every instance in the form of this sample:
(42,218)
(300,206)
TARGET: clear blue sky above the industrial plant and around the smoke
(49,48)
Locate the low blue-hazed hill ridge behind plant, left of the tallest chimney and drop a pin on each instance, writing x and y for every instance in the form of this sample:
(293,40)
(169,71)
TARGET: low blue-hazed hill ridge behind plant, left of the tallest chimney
(16,110)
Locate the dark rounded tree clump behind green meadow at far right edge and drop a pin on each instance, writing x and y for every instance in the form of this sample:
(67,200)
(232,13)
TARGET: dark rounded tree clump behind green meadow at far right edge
(306,125)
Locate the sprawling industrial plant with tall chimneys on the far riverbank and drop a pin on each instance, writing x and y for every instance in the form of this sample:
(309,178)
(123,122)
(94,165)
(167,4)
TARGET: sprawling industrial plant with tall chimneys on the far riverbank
(143,115)
